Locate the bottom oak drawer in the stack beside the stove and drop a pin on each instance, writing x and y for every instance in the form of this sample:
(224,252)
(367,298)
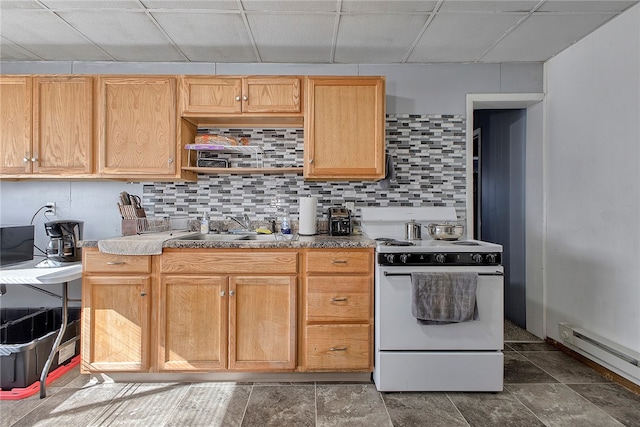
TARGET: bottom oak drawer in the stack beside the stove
(338,347)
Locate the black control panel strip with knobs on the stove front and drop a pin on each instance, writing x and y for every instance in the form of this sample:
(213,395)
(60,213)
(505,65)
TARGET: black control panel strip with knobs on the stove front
(440,258)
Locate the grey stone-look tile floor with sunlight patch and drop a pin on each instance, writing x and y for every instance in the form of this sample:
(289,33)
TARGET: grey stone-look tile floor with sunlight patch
(543,387)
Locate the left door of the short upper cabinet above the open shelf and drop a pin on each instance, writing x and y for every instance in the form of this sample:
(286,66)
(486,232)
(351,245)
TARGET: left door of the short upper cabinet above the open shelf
(205,95)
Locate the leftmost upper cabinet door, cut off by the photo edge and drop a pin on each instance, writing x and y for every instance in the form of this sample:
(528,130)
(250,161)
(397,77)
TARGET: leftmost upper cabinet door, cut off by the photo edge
(15,124)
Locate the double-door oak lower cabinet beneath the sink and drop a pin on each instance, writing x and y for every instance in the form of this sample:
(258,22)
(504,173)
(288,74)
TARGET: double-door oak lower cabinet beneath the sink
(224,320)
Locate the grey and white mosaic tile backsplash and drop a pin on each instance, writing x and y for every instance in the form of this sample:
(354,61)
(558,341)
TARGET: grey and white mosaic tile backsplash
(428,153)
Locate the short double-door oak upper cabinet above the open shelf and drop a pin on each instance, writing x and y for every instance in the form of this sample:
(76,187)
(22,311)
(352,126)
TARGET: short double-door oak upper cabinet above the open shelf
(236,95)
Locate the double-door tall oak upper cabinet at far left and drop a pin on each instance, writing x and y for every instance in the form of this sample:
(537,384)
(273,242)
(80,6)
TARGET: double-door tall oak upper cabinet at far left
(47,126)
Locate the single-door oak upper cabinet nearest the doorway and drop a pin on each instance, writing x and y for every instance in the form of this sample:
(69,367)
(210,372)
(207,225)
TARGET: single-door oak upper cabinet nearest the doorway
(344,128)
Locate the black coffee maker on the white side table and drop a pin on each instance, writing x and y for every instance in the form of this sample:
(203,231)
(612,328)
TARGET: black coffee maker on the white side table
(63,245)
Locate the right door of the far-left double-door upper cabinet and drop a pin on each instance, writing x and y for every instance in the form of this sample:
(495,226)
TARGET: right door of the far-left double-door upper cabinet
(63,125)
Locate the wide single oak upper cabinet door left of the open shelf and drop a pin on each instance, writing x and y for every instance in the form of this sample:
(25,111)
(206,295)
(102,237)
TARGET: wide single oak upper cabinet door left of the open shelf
(137,135)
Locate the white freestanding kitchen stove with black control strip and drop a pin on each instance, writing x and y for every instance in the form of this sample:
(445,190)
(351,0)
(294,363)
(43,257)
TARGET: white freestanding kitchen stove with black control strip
(412,356)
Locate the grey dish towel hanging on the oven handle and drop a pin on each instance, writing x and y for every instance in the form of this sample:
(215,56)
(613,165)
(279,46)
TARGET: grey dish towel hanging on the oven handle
(444,298)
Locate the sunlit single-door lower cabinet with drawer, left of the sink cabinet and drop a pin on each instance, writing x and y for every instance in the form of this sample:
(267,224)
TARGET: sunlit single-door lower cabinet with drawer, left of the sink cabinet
(115,313)
